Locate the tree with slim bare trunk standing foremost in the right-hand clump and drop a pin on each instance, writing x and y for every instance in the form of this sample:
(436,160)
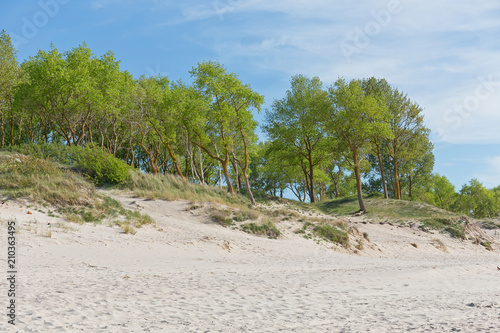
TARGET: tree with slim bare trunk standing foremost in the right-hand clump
(356,118)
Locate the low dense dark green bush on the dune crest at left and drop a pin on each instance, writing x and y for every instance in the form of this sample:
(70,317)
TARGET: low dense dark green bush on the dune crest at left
(95,164)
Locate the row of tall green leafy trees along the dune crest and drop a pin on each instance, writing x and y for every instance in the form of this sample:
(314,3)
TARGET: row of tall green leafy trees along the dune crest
(352,138)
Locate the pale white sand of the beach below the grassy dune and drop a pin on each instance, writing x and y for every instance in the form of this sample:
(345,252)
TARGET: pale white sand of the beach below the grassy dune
(190,275)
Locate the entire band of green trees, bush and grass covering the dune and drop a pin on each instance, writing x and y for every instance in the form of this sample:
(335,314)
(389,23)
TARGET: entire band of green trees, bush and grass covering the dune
(75,116)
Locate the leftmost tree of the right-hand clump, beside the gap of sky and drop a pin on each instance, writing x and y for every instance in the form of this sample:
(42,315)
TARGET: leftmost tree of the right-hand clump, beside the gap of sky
(294,125)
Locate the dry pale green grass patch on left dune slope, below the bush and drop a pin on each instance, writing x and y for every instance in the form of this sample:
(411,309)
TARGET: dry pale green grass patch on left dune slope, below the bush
(46,182)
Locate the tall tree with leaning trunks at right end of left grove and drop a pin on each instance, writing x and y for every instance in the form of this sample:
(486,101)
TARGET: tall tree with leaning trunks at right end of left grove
(228,117)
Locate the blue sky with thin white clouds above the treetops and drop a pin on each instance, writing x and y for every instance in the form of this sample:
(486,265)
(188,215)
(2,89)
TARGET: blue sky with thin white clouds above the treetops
(445,55)
